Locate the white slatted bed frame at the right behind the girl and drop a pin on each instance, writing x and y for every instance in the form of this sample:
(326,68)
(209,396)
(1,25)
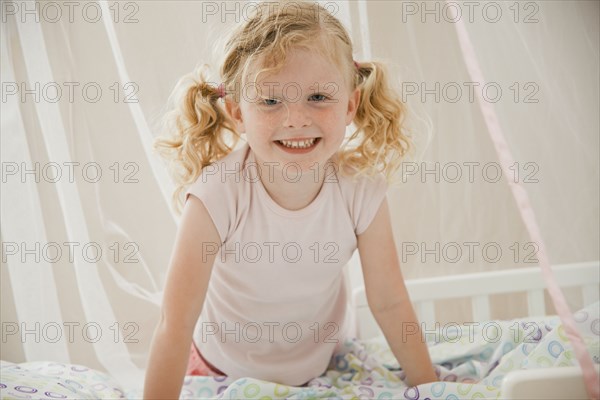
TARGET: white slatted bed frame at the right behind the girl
(549,383)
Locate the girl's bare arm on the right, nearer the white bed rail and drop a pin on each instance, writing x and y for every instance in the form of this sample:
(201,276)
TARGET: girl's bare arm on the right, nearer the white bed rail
(388,299)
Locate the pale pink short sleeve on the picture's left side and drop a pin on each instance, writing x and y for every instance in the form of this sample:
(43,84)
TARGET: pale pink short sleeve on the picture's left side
(218,198)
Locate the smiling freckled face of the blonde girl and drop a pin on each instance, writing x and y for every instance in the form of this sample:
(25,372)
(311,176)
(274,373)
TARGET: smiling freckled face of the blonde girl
(298,115)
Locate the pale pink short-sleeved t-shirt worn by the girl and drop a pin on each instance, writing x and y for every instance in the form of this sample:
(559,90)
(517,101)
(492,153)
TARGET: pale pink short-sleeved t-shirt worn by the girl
(276,306)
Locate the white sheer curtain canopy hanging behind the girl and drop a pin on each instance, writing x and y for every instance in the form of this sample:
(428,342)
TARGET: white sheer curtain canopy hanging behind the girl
(100,309)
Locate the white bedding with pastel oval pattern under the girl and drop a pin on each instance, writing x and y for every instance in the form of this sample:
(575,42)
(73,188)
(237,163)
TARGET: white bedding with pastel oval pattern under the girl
(471,361)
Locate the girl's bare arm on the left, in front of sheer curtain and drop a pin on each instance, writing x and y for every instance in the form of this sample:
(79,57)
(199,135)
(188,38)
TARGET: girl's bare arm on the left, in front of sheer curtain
(187,281)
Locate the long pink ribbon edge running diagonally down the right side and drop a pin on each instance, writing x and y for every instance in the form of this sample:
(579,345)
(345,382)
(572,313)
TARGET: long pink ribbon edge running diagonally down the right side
(592,383)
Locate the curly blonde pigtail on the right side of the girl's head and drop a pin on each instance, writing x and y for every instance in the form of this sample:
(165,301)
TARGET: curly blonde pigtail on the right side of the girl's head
(379,119)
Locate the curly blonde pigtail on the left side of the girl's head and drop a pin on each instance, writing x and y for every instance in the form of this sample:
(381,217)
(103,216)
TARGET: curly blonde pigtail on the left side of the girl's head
(197,127)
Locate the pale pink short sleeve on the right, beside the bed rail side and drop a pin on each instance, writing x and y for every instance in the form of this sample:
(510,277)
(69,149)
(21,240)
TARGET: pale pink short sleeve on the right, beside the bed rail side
(368,196)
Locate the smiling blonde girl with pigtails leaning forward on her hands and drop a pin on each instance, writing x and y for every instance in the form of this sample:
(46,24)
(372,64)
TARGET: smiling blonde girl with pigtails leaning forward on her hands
(272,224)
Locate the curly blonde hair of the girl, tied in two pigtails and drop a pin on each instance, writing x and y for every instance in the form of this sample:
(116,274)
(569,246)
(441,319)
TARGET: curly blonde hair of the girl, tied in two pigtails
(199,126)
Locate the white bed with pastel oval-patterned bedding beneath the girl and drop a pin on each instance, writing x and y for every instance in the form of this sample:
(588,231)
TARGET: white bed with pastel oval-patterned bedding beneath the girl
(529,359)
